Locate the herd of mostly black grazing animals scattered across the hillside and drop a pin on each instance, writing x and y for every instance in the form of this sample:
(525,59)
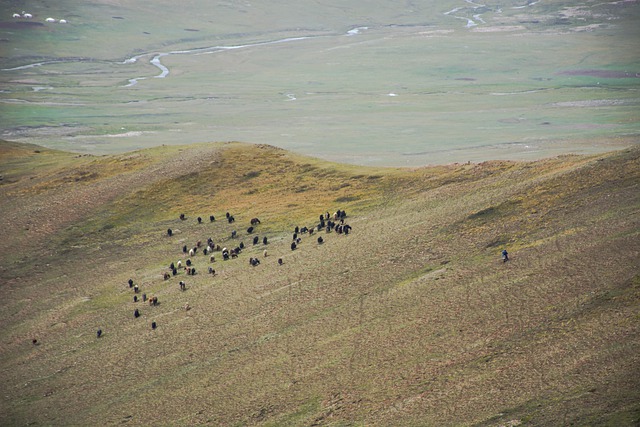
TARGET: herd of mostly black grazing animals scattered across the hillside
(326,222)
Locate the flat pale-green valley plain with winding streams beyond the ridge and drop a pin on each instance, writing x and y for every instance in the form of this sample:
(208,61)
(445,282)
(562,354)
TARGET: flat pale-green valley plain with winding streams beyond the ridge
(413,87)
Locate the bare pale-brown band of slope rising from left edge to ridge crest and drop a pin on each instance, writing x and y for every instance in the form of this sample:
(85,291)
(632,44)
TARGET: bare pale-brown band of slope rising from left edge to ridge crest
(40,215)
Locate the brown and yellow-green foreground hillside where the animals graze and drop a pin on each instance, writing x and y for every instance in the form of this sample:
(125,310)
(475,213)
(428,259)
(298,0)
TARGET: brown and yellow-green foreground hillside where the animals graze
(411,319)
